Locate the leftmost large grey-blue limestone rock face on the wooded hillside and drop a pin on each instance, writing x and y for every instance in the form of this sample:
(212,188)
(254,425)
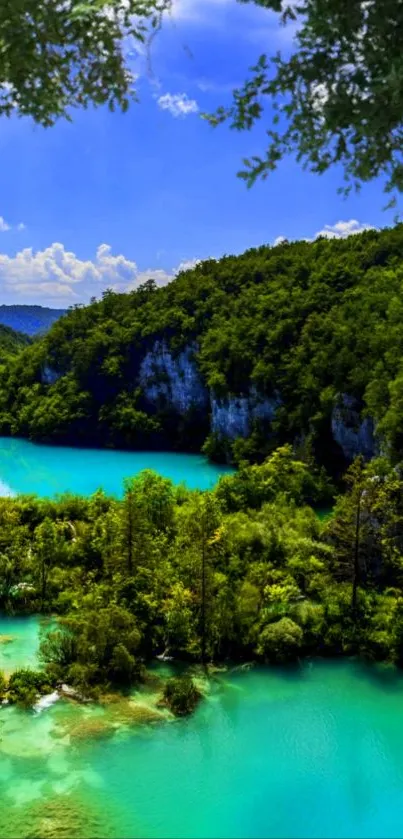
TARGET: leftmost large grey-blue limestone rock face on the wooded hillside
(173,380)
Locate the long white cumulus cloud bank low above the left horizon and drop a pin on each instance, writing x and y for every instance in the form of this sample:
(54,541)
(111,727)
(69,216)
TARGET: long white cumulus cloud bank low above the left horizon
(57,277)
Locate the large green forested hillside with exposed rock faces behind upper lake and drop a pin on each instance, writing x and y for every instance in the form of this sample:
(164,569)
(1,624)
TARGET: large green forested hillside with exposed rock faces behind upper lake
(299,343)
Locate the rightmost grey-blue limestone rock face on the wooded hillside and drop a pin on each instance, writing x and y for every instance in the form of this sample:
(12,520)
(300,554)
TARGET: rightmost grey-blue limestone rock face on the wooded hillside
(354,435)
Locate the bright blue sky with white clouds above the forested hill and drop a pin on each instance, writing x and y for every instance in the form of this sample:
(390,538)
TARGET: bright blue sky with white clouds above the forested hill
(112,199)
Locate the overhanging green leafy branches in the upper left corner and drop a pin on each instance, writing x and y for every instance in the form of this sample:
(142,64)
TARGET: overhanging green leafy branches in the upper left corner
(59,55)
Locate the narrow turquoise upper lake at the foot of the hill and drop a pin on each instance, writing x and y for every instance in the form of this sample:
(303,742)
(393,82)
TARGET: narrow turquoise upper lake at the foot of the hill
(49,470)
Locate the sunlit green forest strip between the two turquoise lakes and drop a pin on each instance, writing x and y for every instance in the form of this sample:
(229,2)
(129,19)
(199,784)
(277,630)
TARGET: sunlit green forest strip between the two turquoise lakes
(246,571)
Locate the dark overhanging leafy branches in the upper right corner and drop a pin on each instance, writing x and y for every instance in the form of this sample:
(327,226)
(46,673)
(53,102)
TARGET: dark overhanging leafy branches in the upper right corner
(335,96)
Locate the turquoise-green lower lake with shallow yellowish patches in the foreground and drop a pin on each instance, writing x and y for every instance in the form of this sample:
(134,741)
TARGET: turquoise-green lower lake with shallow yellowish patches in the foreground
(313,752)
